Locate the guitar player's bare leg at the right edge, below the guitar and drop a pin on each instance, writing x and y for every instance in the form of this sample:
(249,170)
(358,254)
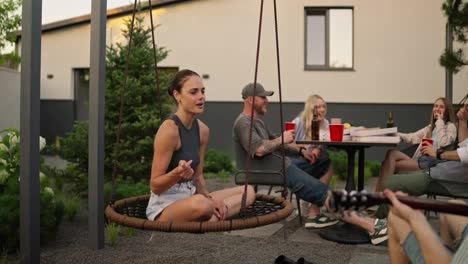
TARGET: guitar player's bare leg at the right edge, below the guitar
(451,226)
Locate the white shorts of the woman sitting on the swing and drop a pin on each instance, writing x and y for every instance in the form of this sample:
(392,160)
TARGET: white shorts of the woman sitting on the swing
(158,203)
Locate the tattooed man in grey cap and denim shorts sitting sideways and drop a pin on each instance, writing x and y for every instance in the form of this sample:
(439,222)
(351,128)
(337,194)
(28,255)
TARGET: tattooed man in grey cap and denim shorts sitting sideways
(266,154)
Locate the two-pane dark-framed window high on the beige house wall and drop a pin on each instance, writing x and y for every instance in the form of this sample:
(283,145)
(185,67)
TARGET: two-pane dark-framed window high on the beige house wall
(328,38)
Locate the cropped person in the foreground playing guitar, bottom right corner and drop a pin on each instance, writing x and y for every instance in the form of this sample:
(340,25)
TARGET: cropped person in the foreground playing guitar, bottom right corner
(411,238)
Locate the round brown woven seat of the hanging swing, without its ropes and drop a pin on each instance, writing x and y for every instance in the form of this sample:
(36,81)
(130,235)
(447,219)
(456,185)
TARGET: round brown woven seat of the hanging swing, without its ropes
(266,210)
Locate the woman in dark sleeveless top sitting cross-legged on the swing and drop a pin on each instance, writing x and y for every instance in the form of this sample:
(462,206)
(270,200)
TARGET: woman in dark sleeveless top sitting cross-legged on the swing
(178,189)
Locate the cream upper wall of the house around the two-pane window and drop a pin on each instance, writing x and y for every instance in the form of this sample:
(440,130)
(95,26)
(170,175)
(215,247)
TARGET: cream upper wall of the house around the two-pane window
(397,44)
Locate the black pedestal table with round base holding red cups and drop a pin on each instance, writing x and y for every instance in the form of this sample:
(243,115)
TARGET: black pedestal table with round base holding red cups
(344,232)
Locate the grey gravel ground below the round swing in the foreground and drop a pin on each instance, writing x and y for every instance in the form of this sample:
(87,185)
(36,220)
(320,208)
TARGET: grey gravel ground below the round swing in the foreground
(70,246)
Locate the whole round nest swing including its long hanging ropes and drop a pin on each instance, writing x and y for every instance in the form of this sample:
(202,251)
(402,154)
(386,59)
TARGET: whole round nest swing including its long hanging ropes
(131,211)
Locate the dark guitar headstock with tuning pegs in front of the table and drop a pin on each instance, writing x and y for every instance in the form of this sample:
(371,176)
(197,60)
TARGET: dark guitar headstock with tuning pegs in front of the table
(353,200)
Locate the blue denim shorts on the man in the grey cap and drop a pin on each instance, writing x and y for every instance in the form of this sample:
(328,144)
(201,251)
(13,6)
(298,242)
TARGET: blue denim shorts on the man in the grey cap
(305,187)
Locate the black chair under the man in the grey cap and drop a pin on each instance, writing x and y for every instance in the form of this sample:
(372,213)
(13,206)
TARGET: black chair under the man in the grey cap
(268,178)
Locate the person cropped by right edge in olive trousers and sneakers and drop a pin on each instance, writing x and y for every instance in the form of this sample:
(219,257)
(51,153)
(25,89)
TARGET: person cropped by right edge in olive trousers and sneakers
(442,179)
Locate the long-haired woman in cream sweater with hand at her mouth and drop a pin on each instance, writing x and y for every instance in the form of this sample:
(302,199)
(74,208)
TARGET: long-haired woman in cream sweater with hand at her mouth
(441,130)
